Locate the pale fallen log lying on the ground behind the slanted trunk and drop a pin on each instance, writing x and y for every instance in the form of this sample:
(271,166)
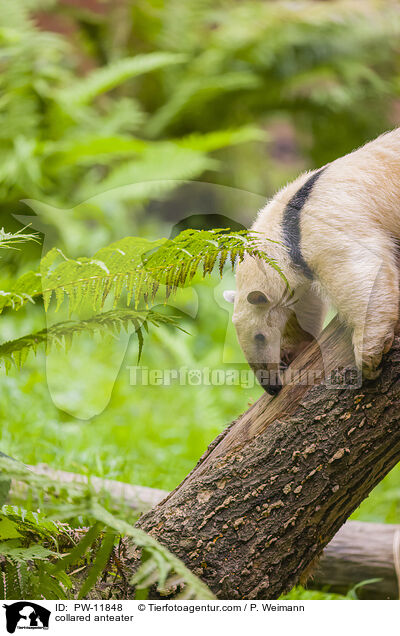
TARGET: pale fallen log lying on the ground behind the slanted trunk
(359,552)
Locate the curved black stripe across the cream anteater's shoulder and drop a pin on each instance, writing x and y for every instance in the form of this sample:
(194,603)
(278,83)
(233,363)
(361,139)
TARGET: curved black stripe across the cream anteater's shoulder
(291,223)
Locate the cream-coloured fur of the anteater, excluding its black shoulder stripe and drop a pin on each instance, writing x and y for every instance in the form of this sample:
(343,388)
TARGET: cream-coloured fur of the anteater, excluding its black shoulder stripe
(349,227)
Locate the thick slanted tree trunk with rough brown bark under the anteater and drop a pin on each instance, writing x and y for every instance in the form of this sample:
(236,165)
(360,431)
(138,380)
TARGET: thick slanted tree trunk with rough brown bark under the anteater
(275,487)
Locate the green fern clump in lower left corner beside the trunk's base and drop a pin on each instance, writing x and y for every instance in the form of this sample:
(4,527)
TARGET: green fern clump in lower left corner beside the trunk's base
(37,553)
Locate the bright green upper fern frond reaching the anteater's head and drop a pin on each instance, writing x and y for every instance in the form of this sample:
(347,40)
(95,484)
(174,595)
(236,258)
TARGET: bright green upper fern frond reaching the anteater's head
(136,265)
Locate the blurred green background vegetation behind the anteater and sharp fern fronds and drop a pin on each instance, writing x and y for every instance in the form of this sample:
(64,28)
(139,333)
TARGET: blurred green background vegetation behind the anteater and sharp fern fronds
(131,117)
